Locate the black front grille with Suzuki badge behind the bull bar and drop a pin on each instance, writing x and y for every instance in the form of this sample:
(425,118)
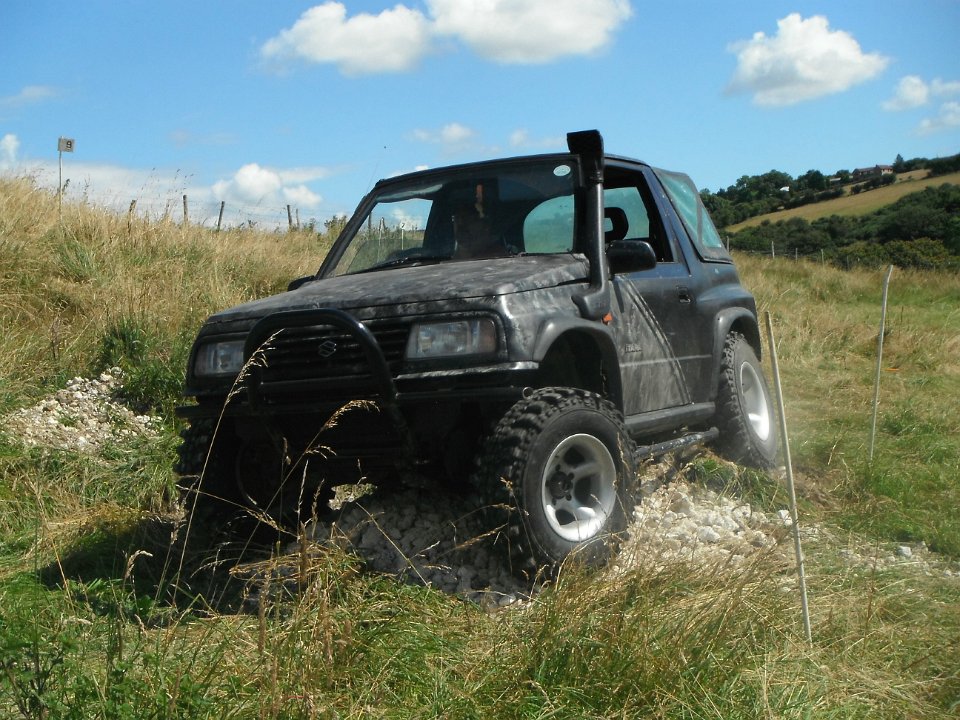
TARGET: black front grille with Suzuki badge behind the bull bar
(327,360)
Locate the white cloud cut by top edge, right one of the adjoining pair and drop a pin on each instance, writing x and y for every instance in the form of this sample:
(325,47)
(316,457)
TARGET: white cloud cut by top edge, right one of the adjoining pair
(530,31)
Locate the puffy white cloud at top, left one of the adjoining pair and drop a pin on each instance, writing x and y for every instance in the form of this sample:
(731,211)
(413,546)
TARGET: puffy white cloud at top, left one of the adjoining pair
(393,41)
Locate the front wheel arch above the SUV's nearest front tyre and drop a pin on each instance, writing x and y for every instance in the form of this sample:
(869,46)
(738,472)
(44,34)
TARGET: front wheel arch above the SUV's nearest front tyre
(579,354)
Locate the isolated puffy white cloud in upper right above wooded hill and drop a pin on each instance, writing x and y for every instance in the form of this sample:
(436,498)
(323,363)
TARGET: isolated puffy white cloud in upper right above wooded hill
(803,61)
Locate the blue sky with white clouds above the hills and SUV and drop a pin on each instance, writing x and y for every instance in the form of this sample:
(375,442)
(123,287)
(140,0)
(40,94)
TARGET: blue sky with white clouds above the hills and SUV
(266,103)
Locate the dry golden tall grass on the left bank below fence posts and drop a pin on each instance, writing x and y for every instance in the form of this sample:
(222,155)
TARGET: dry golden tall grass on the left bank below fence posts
(66,285)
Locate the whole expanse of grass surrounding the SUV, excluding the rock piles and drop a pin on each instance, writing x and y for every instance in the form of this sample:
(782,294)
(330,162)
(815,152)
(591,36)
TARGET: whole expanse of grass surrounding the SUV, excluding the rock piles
(110,609)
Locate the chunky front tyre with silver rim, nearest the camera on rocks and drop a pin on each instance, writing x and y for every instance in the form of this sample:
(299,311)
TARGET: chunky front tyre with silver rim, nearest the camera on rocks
(565,469)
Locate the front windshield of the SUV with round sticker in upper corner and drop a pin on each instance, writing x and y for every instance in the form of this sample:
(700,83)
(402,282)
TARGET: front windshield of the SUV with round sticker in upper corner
(476,212)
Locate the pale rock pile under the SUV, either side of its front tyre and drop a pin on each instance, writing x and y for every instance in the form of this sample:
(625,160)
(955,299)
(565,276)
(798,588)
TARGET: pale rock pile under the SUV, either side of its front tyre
(446,543)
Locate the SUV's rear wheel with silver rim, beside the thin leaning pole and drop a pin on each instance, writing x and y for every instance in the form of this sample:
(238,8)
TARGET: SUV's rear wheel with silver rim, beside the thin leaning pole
(745,415)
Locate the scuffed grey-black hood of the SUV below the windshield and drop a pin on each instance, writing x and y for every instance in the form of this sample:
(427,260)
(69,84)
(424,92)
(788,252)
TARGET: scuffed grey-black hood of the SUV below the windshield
(443,281)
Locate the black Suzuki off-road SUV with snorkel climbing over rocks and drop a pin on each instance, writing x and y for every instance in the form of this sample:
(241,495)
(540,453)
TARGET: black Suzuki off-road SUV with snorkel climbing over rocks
(532,327)
